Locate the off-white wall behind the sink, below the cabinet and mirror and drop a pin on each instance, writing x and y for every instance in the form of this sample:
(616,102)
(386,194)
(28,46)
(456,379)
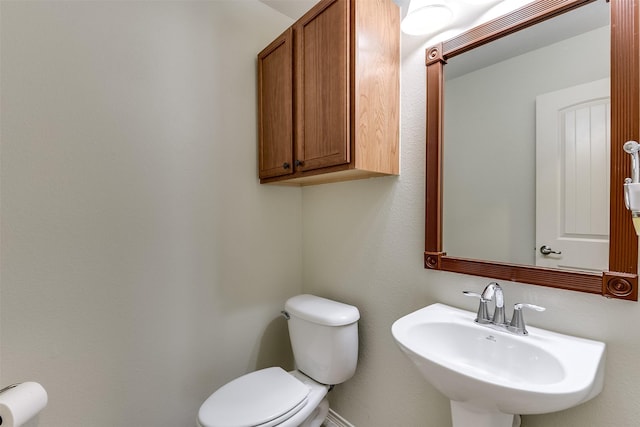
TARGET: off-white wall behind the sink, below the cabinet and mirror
(363,244)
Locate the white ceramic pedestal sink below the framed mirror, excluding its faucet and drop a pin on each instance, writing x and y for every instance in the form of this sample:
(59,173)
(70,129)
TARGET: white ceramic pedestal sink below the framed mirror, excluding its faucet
(489,374)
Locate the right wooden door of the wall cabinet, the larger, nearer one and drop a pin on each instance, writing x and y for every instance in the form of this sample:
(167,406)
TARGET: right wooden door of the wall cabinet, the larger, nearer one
(322,86)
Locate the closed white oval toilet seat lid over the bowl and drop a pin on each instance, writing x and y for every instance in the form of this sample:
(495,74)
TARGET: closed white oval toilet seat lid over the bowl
(254,399)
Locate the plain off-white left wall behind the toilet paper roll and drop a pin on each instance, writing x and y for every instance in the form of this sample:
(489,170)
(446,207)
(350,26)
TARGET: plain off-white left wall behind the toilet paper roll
(142,264)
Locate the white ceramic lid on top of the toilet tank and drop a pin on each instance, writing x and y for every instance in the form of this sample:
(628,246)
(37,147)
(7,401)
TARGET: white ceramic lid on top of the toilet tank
(322,311)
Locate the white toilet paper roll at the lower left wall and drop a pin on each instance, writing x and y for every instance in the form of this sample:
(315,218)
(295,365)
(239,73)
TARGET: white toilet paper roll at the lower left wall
(20,403)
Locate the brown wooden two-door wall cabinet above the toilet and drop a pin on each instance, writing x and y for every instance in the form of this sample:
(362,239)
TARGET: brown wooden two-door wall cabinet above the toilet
(329,95)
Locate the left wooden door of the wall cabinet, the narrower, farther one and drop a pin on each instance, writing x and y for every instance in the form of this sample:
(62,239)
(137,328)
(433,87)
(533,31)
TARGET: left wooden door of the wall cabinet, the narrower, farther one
(275,107)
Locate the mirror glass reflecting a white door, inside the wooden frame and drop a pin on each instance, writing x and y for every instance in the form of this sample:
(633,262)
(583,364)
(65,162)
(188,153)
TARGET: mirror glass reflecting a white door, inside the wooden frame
(495,107)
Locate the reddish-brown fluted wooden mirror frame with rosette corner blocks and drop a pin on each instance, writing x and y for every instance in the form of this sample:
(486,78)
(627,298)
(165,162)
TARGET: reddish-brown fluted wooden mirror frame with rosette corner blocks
(621,280)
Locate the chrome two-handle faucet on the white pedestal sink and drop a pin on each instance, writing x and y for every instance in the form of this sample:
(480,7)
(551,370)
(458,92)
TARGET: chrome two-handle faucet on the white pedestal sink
(492,292)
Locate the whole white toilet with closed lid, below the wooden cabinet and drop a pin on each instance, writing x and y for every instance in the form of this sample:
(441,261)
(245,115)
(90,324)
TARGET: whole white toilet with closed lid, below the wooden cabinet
(324,339)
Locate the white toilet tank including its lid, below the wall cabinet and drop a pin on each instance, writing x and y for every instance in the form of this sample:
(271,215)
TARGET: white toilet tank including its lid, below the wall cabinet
(324,337)
